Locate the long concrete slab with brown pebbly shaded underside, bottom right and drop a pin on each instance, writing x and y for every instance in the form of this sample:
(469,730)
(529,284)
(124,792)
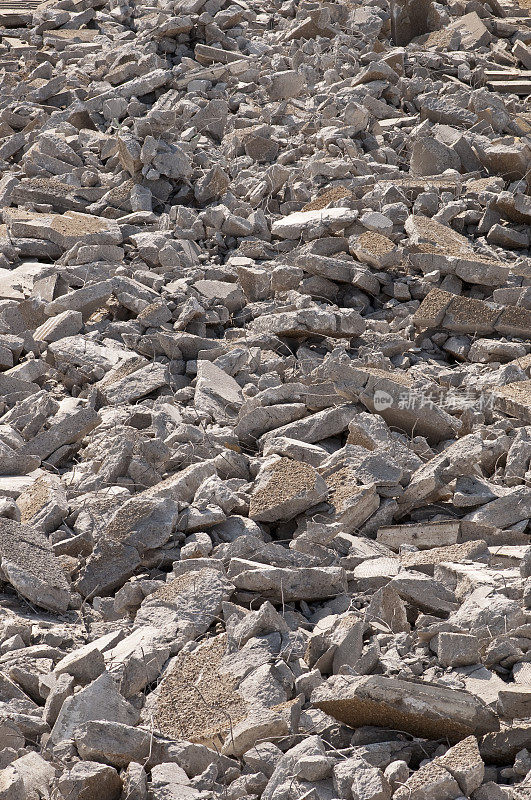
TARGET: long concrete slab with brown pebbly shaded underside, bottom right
(422,709)
